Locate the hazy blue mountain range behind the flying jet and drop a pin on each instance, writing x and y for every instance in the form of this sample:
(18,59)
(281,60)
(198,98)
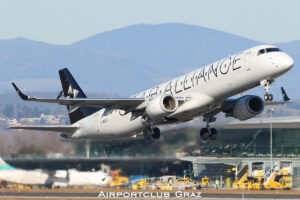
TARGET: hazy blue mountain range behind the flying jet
(124,61)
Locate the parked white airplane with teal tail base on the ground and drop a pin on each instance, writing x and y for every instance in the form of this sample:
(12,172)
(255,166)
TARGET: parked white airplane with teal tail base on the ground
(54,179)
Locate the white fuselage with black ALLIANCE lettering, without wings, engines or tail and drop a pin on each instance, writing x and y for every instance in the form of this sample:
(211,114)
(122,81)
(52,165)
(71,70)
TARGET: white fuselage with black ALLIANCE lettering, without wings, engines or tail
(202,90)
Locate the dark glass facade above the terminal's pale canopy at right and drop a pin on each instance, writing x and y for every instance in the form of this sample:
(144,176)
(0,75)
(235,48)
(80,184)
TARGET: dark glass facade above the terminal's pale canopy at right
(254,143)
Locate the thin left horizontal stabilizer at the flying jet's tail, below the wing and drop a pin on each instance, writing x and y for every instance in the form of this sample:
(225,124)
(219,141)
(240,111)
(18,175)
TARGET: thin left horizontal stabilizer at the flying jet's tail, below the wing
(58,128)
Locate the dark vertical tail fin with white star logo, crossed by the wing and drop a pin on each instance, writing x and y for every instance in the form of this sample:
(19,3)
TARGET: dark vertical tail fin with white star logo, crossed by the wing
(72,90)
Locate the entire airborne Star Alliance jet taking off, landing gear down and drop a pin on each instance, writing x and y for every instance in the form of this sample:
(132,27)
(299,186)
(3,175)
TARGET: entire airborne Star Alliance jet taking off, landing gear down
(203,92)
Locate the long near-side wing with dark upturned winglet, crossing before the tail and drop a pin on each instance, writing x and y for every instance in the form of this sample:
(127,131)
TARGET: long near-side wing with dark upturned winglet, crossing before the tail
(117,103)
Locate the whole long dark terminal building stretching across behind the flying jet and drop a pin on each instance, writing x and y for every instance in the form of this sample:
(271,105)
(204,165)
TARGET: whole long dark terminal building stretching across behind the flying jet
(232,149)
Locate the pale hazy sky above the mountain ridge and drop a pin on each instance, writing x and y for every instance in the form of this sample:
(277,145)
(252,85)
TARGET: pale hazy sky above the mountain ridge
(67,21)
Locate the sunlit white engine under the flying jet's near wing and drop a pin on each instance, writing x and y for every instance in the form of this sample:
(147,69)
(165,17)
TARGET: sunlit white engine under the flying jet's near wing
(161,106)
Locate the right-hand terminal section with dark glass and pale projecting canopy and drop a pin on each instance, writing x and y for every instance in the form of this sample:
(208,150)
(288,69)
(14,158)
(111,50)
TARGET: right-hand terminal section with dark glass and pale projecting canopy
(233,148)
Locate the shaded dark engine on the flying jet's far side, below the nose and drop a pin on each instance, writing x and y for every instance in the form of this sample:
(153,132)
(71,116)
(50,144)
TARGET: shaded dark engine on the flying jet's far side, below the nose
(247,107)
